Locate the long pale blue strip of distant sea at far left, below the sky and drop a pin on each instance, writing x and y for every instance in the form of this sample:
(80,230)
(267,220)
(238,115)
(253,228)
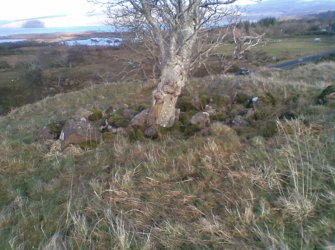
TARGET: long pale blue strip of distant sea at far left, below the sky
(18,31)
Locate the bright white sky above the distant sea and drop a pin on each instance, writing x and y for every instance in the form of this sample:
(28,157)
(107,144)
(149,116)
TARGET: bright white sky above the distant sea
(59,13)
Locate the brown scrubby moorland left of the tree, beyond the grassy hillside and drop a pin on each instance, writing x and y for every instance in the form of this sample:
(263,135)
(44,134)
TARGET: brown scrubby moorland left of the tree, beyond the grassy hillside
(63,69)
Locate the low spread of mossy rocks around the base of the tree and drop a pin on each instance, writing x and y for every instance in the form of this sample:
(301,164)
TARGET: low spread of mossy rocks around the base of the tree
(248,115)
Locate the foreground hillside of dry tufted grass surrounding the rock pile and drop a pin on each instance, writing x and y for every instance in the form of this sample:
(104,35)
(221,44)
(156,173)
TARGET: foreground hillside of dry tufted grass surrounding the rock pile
(235,188)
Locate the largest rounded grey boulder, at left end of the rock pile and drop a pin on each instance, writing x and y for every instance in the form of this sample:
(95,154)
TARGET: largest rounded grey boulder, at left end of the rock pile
(79,131)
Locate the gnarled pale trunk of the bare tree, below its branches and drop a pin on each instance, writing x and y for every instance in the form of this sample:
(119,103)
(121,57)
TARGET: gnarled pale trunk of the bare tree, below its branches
(173,79)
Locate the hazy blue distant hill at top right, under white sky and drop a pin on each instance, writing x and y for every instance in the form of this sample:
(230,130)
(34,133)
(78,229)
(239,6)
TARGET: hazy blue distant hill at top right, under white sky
(287,8)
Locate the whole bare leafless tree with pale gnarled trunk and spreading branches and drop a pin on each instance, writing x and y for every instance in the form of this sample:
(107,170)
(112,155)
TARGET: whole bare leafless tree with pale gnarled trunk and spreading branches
(181,33)
